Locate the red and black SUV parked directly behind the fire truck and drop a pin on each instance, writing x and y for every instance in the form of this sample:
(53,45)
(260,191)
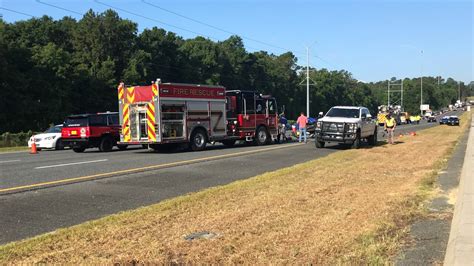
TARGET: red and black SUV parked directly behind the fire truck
(101,130)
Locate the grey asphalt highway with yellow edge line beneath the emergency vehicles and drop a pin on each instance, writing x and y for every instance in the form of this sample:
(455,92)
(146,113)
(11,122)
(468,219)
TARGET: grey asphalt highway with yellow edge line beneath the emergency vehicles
(54,189)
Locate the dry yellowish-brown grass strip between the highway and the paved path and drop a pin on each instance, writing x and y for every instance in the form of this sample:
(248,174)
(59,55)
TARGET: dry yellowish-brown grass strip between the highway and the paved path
(350,206)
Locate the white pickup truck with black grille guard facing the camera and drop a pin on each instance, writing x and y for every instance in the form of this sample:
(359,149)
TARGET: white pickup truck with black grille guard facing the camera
(346,124)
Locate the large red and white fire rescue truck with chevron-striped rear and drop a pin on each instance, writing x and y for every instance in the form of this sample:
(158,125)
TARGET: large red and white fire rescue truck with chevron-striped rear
(163,113)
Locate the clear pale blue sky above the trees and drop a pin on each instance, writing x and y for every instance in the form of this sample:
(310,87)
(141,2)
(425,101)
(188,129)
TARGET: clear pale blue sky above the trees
(374,40)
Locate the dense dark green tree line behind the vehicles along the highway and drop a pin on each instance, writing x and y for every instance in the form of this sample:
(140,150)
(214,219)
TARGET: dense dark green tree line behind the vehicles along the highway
(52,68)
